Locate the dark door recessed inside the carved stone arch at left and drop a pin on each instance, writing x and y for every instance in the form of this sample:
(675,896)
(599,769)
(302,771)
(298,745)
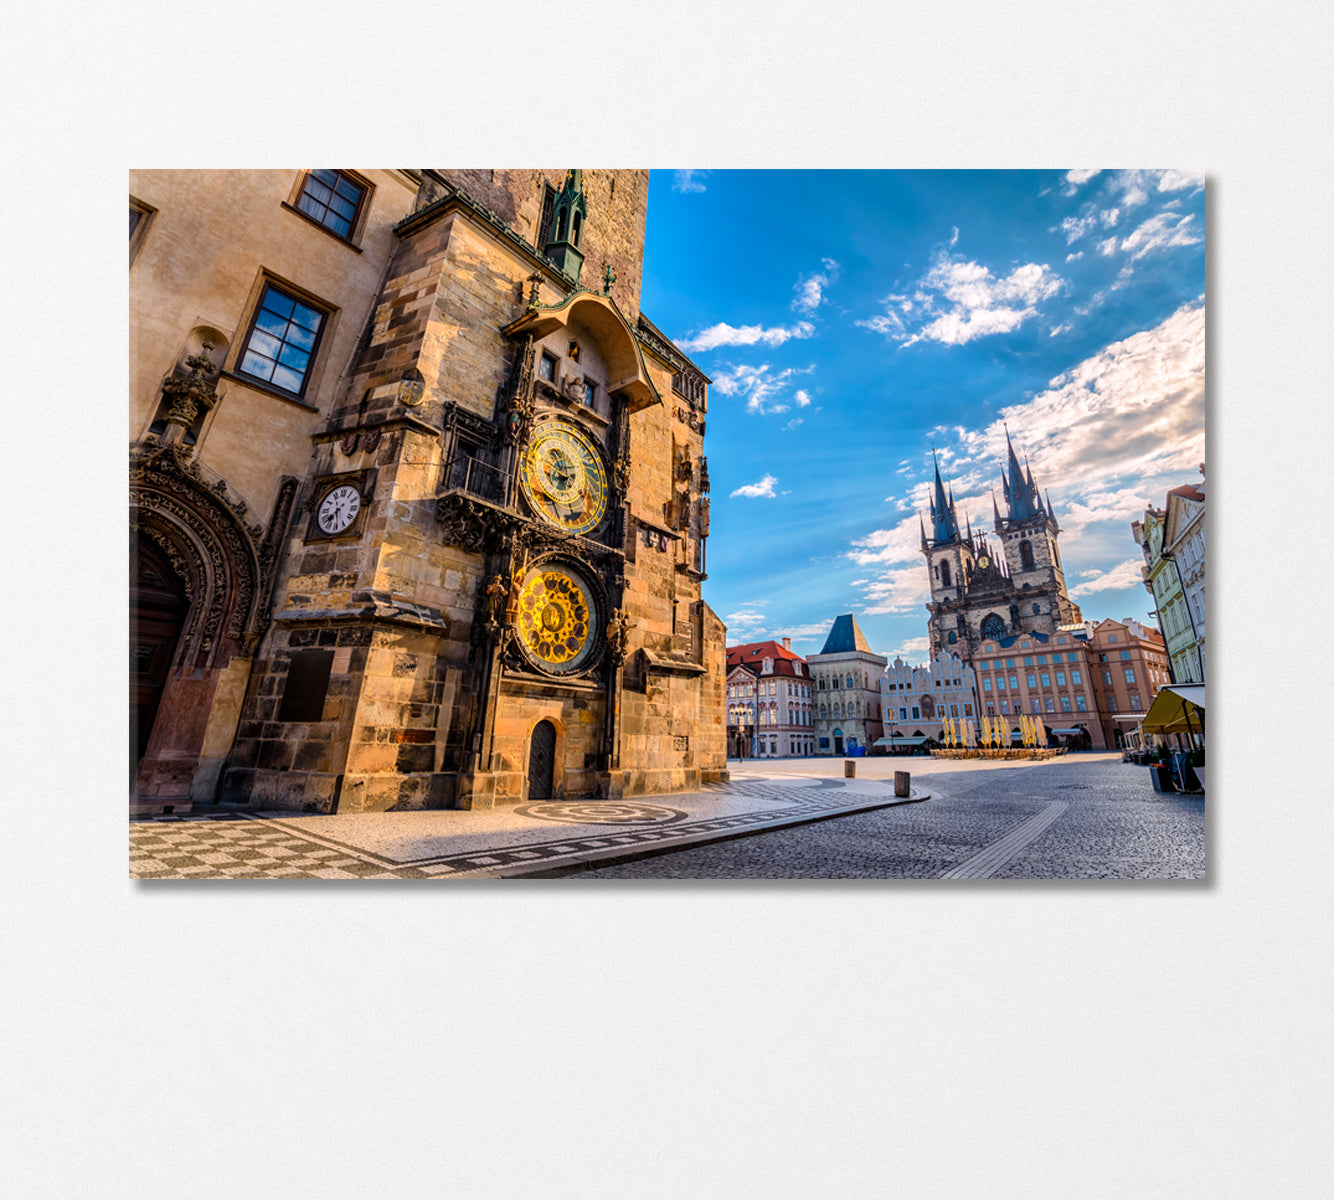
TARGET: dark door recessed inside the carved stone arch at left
(158,607)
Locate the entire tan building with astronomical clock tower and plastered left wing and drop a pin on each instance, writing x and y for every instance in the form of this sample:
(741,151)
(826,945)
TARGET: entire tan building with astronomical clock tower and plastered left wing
(420,498)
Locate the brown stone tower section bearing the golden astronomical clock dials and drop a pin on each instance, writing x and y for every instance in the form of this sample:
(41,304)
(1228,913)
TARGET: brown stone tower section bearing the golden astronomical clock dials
(492,591)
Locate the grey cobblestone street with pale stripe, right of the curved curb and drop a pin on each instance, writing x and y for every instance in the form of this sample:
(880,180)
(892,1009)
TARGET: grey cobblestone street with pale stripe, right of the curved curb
(1077,818)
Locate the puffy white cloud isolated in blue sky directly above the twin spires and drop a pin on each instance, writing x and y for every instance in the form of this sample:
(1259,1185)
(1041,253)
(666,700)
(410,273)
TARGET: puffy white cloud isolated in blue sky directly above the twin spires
(966,301)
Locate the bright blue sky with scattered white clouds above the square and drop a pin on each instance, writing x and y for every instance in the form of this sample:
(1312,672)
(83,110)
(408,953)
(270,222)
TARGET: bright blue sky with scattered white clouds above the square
(850,321)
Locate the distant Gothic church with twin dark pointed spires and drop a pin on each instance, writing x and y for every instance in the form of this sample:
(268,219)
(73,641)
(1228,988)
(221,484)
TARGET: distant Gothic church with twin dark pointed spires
(982,593)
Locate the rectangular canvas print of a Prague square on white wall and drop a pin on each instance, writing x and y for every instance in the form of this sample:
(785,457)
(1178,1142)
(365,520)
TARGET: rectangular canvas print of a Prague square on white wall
(689,525)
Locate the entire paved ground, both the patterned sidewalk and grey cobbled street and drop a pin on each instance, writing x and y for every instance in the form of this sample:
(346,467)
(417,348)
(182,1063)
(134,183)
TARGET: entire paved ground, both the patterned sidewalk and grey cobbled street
(1077,819)
